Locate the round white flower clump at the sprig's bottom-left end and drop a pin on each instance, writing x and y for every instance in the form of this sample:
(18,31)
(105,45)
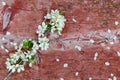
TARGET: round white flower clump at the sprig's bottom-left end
(16,62)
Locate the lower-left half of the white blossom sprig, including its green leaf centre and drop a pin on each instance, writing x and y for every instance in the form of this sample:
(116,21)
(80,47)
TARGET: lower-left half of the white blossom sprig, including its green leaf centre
(17,60)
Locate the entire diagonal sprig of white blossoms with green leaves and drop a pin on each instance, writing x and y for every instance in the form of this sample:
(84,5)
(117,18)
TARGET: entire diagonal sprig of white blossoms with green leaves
(27,50)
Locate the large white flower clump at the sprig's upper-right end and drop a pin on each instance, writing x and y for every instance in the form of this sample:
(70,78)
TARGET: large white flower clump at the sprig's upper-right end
(57,21)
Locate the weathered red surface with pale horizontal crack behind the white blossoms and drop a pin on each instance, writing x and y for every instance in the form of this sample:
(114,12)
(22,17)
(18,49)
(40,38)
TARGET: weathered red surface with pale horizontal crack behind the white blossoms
(87,20)
